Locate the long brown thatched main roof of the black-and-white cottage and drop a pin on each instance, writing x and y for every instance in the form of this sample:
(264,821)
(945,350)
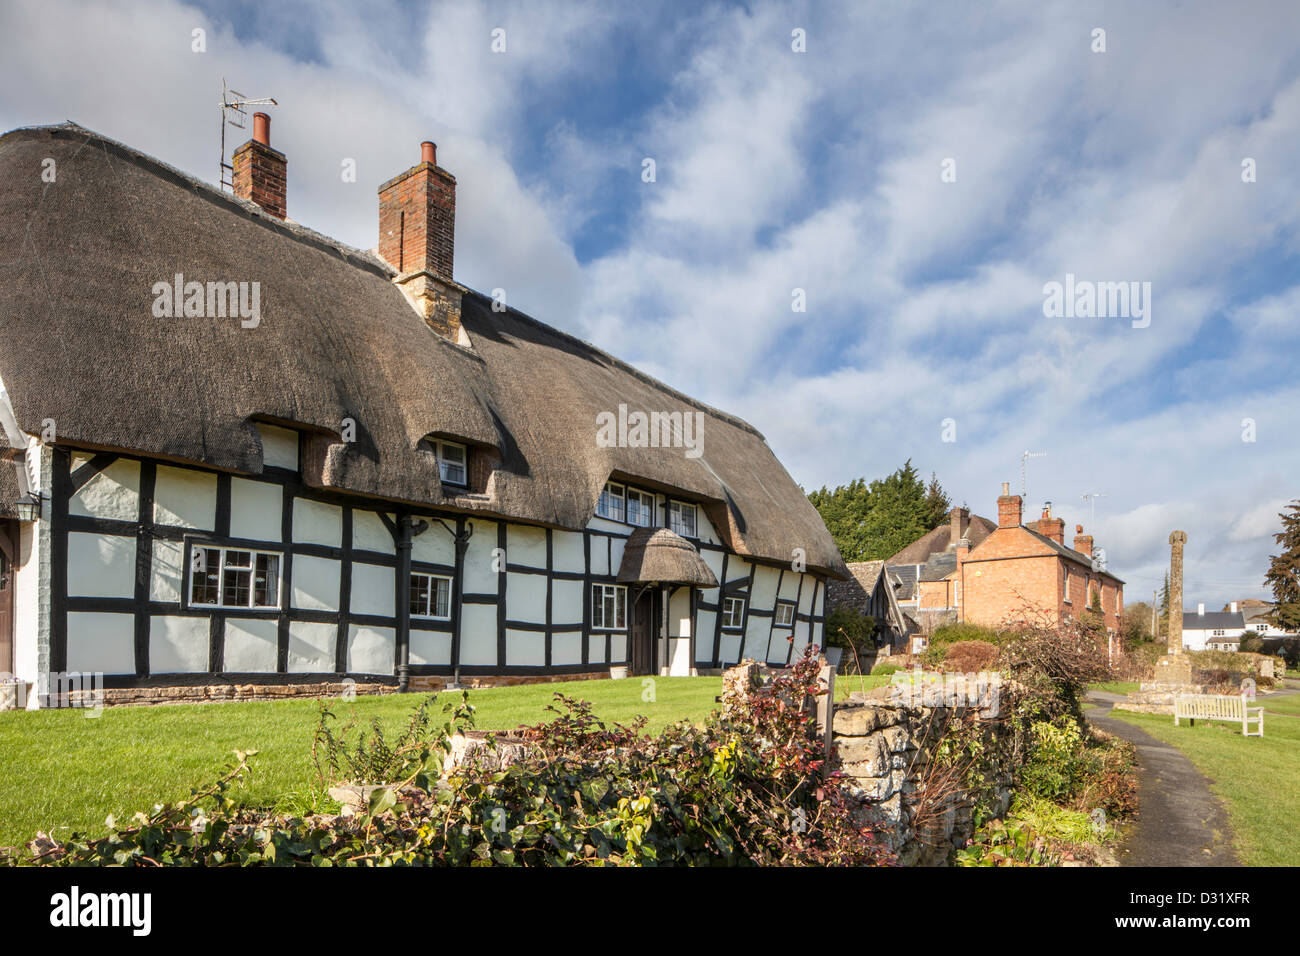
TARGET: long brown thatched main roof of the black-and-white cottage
(79,259)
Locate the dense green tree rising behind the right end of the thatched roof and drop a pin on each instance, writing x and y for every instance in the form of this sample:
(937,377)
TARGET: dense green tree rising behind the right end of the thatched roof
(873,521)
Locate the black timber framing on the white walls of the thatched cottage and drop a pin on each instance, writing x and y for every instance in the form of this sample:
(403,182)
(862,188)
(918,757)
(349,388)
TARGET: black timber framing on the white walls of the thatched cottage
(144,608)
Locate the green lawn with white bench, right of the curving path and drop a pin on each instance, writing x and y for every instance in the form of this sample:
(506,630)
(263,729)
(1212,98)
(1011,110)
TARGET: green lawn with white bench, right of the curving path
(1258,778)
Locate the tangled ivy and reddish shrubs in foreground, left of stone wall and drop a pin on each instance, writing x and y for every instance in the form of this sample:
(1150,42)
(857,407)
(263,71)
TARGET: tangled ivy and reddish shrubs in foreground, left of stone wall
(748,788)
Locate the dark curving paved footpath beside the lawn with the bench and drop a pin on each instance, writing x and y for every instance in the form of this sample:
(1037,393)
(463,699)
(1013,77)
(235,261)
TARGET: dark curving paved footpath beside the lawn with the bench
(1180,821)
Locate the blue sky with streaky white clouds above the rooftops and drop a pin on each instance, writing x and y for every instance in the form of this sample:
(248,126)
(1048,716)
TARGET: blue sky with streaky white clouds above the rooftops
(820,171)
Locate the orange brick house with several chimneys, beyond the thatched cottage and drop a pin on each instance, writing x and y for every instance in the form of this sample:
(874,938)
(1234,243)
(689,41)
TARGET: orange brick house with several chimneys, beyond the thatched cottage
(973,570)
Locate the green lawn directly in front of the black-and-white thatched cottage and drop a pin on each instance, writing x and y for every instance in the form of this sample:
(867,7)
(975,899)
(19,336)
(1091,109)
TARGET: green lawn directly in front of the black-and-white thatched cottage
(64,769)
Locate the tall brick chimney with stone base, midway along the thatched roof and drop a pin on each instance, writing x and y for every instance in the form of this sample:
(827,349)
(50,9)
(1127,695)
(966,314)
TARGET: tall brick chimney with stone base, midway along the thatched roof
(418,231)
